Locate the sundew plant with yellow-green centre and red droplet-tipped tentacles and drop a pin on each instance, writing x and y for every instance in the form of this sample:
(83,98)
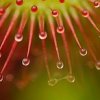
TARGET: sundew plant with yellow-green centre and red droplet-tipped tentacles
(52,14)
